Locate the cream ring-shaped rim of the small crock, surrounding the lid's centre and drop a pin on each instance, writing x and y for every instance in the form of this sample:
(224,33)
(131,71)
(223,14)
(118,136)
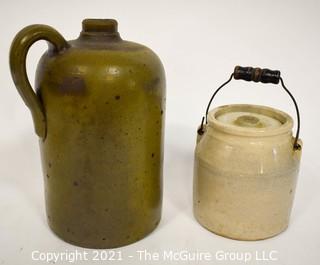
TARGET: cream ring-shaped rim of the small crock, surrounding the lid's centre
(285,120)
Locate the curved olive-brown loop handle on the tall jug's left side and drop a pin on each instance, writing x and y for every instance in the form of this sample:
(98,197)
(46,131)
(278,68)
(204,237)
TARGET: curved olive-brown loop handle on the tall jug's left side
(18,53)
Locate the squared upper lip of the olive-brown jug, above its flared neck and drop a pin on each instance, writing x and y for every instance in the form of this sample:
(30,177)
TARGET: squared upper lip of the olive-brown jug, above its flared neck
(100,25)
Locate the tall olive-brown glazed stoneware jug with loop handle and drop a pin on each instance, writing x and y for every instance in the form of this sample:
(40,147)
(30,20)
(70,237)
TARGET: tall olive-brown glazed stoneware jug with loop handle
(98,109)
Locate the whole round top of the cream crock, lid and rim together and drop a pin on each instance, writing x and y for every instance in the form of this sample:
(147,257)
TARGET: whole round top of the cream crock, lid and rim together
(250,120)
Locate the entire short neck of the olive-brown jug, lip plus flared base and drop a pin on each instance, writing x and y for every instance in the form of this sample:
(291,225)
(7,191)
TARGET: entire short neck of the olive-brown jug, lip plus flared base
(104,29)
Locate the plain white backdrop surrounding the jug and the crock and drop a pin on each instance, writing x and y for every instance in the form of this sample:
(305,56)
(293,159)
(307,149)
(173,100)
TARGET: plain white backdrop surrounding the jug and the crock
(199,43)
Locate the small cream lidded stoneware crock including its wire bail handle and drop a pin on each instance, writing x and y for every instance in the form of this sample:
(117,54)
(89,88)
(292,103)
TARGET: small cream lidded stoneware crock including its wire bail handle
(246,166)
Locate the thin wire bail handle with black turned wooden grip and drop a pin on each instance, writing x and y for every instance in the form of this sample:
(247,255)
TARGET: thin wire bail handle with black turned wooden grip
(256,75)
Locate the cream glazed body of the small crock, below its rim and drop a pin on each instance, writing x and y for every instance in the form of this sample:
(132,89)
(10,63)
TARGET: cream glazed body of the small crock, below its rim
(244,186)
